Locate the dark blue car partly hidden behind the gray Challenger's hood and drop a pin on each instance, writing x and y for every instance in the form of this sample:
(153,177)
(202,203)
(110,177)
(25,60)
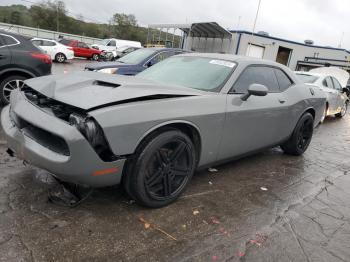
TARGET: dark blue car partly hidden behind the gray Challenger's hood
(134,62)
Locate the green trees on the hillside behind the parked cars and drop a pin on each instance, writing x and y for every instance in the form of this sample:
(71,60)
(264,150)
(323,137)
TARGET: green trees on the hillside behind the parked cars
(44,15)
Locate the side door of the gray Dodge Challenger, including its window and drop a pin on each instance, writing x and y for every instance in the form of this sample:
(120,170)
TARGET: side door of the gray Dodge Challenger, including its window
(258,122)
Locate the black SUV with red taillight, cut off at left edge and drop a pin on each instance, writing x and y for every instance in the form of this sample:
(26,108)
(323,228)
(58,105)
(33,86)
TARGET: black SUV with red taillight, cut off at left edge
(19,60)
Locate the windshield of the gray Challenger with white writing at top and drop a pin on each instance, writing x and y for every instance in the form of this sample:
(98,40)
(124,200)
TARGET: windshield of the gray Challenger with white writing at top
(194,72)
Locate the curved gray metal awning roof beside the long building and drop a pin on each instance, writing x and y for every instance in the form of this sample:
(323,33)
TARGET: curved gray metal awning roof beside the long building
(208,30)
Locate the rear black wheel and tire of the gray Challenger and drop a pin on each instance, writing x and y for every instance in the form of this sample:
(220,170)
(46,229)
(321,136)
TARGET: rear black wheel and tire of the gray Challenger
(301,137)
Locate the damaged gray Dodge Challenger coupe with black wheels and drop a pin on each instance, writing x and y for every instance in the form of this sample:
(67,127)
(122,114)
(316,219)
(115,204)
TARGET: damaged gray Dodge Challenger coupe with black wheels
(151,132)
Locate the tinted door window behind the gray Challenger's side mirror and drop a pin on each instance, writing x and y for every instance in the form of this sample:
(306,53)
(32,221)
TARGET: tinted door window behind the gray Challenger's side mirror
(256,75)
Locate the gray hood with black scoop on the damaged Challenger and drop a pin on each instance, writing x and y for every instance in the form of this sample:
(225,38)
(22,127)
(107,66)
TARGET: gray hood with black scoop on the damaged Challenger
(89,90)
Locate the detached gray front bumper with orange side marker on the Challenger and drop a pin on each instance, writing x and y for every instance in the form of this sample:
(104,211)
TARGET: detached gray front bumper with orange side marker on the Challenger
(82,165)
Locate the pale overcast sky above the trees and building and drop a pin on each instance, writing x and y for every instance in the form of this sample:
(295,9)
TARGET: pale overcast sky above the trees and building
(323,21)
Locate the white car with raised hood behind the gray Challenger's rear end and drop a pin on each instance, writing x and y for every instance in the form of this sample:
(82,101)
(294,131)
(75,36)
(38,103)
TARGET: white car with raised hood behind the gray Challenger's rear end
(337,100)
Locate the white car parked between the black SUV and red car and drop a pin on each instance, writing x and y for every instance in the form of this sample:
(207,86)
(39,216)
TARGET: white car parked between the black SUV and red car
(58,52)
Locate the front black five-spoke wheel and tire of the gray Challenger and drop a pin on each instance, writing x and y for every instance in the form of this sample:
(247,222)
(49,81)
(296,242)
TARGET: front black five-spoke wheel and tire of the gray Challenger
(161,168)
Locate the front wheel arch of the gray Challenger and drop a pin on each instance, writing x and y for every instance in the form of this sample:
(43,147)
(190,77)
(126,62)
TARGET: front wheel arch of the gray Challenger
(188,128)
